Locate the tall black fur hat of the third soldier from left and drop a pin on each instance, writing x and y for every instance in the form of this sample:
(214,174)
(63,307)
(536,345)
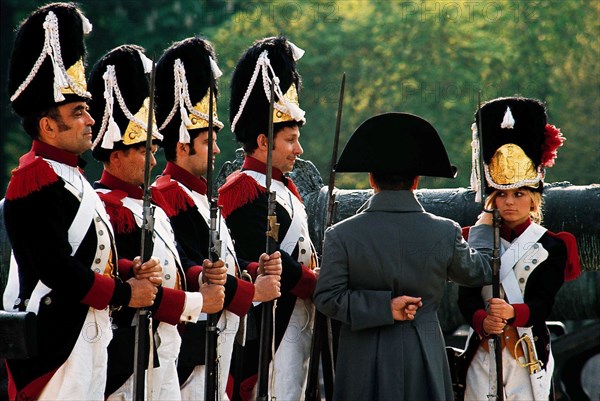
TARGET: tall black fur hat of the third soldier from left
(183,76)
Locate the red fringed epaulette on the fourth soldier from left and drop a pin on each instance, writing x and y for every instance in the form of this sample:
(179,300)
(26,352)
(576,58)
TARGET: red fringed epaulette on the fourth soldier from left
(238,190)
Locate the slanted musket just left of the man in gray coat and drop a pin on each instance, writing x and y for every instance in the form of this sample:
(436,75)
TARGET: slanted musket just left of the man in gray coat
(322,325)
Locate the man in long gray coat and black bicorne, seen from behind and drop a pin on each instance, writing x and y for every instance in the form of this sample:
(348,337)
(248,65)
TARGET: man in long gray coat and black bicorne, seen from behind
(376,262)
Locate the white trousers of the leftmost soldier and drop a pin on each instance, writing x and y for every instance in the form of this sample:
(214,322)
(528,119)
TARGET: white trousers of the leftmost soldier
(83,375)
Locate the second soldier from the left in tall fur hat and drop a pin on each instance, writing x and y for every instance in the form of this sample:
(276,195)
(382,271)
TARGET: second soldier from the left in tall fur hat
(121,90)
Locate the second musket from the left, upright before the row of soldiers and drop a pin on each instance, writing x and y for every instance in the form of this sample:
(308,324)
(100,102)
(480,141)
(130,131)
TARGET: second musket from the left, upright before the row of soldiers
(211,384)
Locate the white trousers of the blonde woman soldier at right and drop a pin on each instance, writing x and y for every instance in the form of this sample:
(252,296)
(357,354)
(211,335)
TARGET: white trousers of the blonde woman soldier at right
(481,378)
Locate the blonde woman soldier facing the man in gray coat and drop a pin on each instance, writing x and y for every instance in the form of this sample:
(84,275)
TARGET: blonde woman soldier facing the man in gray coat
(518,145)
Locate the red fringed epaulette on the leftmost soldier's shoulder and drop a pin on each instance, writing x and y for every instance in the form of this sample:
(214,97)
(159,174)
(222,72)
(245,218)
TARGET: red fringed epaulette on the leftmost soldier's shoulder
(33,174)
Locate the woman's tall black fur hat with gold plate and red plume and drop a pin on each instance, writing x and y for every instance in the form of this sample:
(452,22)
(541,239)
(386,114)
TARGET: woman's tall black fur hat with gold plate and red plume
(516,142)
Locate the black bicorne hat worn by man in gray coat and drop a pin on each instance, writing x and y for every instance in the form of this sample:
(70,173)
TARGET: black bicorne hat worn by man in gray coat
(399,143)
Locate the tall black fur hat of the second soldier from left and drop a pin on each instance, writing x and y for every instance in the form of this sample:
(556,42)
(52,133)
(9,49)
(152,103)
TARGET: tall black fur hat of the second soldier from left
(120,100)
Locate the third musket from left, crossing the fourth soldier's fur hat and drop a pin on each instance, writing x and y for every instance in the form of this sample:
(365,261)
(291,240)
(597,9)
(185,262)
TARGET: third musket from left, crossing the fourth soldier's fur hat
(266,324)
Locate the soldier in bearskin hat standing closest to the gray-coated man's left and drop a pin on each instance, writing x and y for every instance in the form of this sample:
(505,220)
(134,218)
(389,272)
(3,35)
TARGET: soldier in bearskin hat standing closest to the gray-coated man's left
(244,200)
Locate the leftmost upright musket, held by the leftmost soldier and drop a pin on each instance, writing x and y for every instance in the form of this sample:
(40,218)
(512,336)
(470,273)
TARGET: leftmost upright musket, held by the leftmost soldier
(143,315)
